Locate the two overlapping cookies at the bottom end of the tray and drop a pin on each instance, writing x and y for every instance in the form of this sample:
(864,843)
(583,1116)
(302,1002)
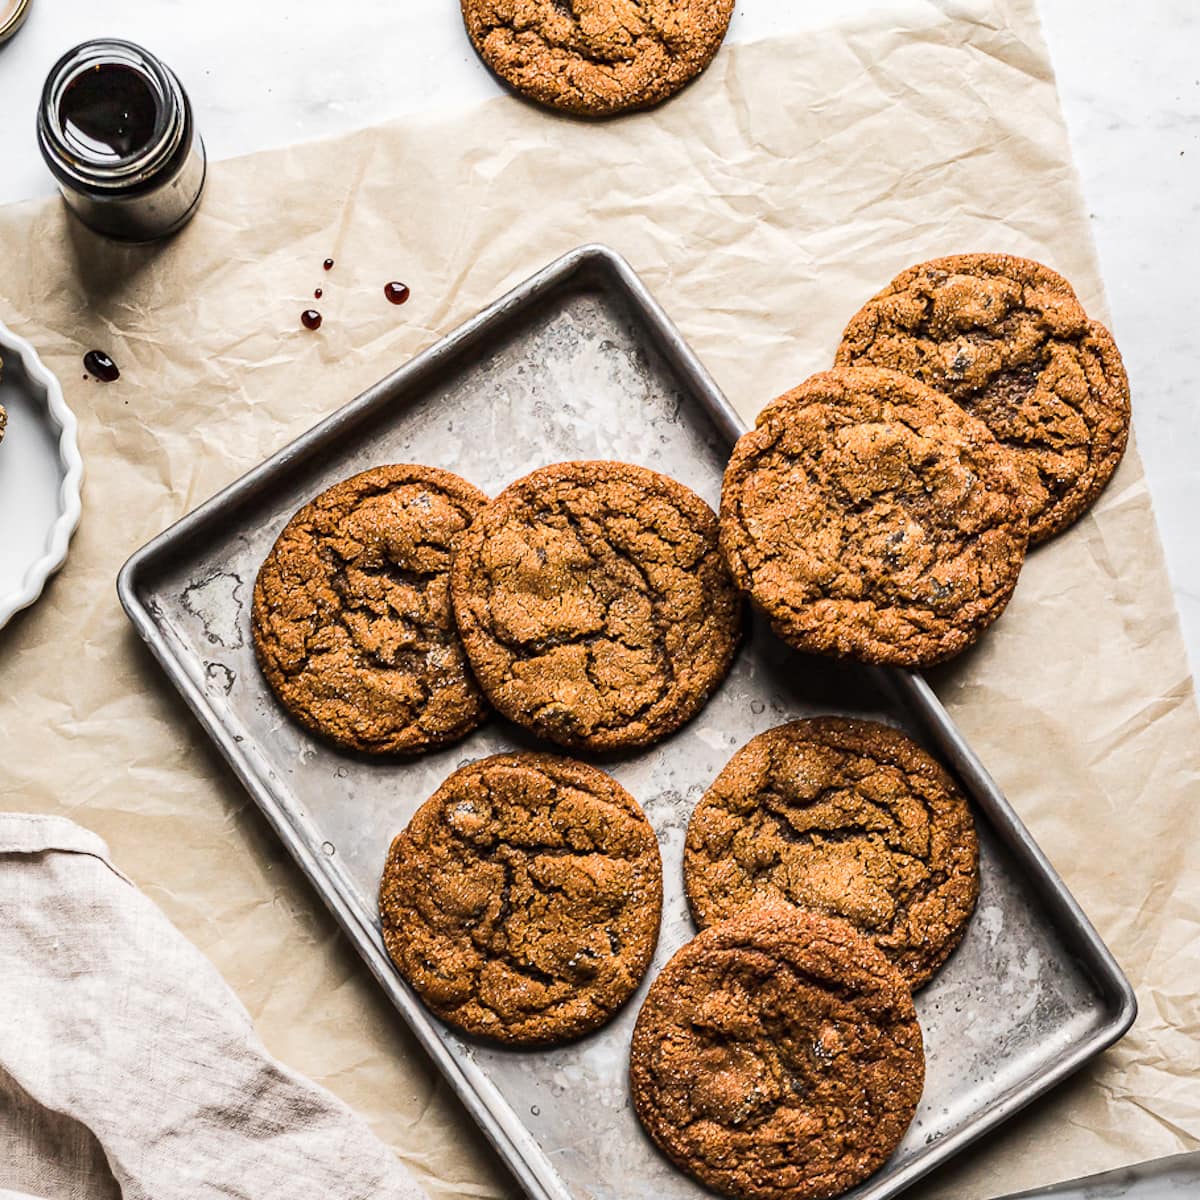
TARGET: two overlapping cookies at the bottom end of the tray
(832,868)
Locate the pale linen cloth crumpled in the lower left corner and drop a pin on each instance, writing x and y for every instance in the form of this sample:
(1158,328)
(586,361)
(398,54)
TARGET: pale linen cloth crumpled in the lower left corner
(122,1046)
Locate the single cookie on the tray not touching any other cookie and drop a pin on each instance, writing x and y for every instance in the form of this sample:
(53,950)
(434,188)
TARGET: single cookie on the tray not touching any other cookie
(524,899)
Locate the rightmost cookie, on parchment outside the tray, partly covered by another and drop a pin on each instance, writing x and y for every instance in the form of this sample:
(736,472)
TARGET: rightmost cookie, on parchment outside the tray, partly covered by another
(1009,340)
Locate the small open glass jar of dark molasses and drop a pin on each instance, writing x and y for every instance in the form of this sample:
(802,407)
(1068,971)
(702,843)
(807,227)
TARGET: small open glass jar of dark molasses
(116,128)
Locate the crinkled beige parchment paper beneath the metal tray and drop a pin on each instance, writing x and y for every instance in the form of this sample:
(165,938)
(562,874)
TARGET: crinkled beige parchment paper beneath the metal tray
(761,207)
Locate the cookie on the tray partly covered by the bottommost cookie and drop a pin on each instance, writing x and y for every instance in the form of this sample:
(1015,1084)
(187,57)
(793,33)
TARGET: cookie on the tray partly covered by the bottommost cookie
(849,818)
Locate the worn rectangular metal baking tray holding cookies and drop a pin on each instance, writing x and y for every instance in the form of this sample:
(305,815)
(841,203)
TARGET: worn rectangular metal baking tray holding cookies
(581,363)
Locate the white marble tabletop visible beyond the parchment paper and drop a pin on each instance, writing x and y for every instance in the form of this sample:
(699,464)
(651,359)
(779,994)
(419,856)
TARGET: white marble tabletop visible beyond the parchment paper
(268,73)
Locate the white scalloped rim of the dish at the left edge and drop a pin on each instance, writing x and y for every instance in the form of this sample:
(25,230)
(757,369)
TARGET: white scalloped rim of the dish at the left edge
(71,471)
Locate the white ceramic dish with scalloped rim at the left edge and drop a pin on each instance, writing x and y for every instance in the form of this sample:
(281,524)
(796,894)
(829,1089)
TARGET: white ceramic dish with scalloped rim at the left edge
(41,475)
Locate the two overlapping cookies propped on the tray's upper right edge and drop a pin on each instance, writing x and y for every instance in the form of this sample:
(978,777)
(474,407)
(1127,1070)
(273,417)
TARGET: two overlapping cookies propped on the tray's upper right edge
(883,511)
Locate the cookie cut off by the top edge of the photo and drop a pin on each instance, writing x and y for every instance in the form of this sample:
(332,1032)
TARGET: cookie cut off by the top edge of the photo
(596,58)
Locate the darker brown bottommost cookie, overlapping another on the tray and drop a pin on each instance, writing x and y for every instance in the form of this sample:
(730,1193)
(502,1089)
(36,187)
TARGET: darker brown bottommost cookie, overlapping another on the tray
(778,1057)
